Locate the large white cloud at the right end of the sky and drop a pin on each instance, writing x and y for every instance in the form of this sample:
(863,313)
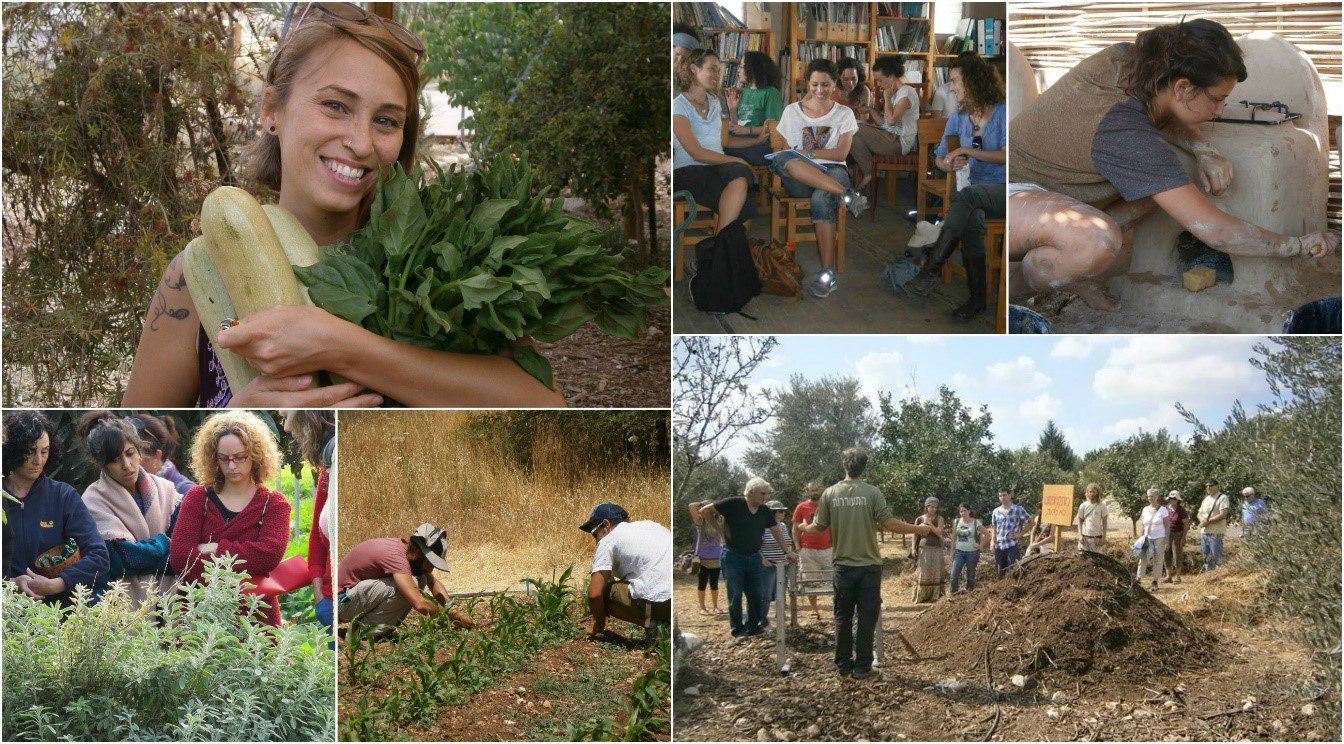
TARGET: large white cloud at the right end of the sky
(1179,369)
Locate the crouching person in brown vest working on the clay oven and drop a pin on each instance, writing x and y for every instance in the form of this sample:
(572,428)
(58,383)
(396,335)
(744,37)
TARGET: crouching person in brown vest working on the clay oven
(1092,156)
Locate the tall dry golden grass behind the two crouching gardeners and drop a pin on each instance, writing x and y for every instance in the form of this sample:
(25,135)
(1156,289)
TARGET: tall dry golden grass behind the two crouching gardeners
(397,469)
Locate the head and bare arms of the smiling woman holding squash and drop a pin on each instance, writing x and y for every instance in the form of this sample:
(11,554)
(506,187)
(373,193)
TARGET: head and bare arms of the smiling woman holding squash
(339,108)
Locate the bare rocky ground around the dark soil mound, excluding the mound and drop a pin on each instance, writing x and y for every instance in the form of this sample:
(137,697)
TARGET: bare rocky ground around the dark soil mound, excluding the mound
(740,694)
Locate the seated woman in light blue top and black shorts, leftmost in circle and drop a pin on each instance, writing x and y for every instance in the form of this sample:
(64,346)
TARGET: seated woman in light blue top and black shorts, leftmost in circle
(701,132)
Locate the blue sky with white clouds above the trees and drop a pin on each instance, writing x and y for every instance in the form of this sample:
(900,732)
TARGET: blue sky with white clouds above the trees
(1097,390)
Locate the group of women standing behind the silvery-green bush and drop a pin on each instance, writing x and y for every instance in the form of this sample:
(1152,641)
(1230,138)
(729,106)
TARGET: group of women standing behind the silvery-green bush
(142,524)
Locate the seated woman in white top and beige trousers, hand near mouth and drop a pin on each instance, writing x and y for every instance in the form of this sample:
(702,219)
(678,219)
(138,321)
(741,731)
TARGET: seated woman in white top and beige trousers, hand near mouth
(894,127)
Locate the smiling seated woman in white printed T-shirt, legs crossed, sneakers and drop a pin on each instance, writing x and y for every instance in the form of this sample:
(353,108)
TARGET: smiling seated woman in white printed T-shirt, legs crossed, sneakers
(819,134)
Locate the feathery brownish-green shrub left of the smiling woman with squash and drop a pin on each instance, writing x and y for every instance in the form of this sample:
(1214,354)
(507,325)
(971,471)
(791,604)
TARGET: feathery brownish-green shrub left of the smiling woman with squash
(119,119)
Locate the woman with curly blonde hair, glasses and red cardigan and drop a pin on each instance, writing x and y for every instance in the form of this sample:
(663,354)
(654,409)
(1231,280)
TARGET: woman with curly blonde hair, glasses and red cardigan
(233,512)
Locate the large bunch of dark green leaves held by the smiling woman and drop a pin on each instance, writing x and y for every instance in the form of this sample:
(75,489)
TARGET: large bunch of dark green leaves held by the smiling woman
(474,261)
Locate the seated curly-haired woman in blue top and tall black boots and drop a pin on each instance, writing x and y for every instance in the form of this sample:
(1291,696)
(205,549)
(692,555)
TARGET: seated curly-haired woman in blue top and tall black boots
(982,128)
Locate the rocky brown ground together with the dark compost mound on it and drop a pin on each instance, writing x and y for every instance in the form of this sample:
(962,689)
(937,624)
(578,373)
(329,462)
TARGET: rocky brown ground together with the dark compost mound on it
(1189,663)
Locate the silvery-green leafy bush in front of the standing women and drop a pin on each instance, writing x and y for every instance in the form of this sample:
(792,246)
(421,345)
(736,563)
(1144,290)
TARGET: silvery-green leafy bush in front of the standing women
(189,668)
